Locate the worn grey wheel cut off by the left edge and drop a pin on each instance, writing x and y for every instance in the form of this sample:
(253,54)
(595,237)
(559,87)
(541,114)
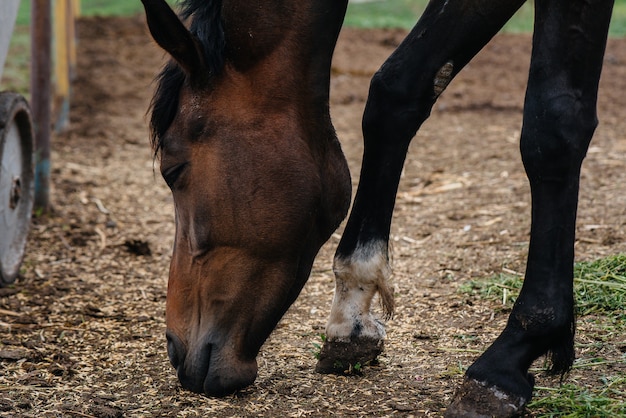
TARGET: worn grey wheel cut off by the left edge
(16,182)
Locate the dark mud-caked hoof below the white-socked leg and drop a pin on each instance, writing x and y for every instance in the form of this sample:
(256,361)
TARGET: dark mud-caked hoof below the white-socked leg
(347,357)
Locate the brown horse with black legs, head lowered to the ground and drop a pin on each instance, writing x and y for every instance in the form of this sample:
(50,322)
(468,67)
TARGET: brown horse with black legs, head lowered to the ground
(241,123)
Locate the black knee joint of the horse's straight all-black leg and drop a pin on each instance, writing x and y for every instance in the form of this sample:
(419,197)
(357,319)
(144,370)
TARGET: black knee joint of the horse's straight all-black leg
(558,127)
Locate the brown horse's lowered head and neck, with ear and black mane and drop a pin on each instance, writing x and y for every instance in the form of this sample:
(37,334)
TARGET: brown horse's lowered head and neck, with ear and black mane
(241,126)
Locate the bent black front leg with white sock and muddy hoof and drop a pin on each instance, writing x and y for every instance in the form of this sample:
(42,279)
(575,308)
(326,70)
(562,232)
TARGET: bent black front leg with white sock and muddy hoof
(400,99)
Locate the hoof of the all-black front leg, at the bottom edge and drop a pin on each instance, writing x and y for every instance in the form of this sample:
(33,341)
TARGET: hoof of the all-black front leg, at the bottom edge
(476,399)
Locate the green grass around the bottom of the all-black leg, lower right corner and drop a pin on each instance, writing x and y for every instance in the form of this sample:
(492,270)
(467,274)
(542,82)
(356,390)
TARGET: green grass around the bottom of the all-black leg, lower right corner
(600,292)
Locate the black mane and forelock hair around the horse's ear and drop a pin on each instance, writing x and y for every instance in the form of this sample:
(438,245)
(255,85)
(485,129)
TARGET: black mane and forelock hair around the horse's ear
(206,27)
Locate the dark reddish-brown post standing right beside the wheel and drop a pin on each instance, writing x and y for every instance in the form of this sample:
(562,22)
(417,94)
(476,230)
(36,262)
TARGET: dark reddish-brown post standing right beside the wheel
(41,32)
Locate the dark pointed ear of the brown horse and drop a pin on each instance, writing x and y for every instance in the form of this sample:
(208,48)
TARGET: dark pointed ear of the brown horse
(171,35)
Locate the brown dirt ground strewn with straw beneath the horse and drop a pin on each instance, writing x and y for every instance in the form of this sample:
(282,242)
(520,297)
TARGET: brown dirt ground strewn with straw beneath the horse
(82,330)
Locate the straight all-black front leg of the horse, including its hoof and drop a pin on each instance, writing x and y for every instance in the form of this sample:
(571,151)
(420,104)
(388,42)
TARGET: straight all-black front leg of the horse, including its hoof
(559,121)
